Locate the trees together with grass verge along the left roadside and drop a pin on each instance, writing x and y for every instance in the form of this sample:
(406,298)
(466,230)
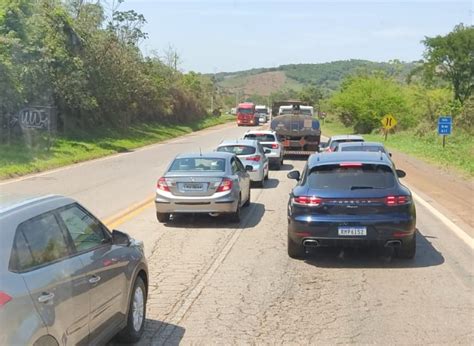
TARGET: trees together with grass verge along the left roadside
(82,59)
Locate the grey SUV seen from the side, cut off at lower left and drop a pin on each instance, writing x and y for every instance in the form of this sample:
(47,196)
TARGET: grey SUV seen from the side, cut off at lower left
(65,279)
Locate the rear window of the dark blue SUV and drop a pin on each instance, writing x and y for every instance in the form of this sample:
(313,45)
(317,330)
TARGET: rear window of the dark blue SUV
(350,177)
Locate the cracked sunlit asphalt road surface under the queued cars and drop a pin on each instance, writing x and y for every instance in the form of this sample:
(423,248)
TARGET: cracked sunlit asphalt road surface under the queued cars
(217,282)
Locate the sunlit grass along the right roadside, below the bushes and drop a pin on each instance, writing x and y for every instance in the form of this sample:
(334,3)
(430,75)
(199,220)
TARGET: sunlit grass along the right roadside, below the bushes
(458,153)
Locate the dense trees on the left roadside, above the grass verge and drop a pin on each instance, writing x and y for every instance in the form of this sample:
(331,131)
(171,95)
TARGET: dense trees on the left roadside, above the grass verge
(83,60)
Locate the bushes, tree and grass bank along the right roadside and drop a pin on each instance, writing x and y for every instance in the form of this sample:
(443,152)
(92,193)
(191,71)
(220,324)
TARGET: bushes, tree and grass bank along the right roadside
(442,85)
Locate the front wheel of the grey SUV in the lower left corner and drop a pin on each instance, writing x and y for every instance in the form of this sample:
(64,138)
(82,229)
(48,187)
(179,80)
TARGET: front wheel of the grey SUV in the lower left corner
(136,314)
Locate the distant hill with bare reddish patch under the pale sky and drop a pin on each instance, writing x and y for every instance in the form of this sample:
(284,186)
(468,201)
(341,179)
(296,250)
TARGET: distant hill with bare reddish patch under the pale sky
(264,81)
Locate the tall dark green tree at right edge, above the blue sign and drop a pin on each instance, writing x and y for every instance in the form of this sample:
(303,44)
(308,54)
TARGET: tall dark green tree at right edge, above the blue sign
(452,58)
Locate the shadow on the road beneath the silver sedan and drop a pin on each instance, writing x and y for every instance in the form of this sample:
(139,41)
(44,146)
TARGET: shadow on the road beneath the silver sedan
(250,217)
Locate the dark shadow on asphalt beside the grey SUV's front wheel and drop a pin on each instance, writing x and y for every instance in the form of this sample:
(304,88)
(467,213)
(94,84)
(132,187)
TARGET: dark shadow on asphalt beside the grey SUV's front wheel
(156,333)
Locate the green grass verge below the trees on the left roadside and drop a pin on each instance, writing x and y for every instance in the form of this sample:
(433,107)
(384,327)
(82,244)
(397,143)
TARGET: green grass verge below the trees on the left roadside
(19,159)
